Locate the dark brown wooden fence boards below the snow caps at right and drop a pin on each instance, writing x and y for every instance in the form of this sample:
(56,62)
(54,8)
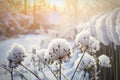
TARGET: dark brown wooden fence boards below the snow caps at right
(112,73)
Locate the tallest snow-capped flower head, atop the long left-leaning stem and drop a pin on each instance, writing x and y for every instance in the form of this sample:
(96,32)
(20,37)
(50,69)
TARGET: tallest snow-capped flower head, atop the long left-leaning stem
(82,39)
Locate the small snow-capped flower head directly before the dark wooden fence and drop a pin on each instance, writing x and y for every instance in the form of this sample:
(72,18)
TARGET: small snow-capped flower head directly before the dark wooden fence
(104,61)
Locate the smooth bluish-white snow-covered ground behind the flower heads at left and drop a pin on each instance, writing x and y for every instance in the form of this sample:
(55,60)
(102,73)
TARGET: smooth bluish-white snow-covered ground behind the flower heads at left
(26,40)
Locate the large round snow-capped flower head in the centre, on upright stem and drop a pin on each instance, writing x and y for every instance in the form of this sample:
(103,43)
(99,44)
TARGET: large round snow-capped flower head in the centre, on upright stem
(59,49)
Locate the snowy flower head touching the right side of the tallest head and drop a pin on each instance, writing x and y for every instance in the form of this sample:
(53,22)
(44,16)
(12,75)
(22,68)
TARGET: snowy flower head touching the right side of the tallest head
(94,44)
